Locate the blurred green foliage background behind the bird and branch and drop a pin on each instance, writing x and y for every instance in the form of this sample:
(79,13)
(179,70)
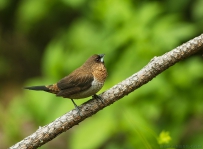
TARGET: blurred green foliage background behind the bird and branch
(41,41)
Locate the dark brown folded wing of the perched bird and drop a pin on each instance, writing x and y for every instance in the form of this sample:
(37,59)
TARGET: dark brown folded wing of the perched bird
(75,83)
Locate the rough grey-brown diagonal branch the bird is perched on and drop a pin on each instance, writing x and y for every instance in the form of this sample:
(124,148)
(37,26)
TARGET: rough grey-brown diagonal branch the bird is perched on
(151,70)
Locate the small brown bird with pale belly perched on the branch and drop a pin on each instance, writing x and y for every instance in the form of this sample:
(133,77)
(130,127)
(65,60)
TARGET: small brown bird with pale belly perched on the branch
(83,82)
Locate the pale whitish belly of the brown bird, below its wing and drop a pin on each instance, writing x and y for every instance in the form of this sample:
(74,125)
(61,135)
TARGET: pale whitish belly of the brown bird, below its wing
(95,87)
